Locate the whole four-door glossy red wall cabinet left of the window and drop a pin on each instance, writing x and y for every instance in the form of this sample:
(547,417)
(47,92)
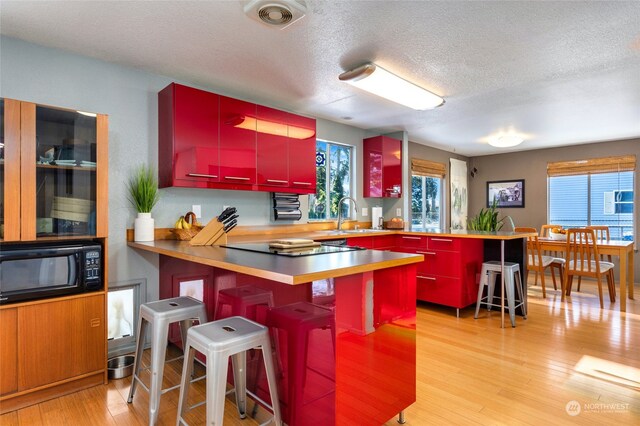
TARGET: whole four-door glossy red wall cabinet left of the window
(213,141)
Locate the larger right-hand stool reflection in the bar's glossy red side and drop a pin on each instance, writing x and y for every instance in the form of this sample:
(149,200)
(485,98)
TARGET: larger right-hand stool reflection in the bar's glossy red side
(298,320)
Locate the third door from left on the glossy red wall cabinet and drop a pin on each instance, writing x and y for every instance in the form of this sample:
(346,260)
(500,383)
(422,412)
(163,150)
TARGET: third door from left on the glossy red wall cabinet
(272,147)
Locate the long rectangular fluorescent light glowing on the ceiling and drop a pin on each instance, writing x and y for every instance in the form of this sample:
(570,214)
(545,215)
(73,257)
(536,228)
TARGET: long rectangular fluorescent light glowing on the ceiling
(377,80)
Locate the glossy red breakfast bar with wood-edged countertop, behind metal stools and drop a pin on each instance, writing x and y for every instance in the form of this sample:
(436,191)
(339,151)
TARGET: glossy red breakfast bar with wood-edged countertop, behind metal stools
(343,324)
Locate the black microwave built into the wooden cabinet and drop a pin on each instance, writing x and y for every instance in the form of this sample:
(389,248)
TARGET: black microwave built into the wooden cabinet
(39,270)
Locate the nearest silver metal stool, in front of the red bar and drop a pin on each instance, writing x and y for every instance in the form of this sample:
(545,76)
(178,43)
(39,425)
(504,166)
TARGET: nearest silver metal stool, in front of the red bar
(220,340)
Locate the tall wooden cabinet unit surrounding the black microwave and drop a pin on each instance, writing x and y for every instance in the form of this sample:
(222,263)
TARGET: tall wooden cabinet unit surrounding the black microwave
(54,186)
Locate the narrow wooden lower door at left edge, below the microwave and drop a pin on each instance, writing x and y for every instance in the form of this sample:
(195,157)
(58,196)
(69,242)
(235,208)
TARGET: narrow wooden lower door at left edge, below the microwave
(8,351)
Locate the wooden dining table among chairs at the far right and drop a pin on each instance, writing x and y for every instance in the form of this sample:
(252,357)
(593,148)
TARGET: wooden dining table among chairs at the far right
(622,249)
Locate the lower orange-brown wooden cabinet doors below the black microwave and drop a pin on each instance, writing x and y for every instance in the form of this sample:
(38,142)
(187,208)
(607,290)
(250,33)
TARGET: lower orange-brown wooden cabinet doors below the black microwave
(51,348)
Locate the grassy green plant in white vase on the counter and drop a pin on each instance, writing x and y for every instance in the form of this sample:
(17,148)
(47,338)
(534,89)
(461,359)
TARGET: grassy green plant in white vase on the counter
(143,194)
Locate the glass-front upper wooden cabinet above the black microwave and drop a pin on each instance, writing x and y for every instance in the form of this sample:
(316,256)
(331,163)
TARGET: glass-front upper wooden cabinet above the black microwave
(55,183)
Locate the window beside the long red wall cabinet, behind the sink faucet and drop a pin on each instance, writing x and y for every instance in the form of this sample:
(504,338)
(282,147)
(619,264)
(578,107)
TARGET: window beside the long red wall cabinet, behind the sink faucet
(334,169)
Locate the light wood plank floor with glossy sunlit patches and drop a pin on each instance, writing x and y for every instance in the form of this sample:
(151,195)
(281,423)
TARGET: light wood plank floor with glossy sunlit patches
(469,371)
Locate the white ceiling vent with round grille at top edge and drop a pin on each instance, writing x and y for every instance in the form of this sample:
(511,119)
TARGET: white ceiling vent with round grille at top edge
(278,13)
